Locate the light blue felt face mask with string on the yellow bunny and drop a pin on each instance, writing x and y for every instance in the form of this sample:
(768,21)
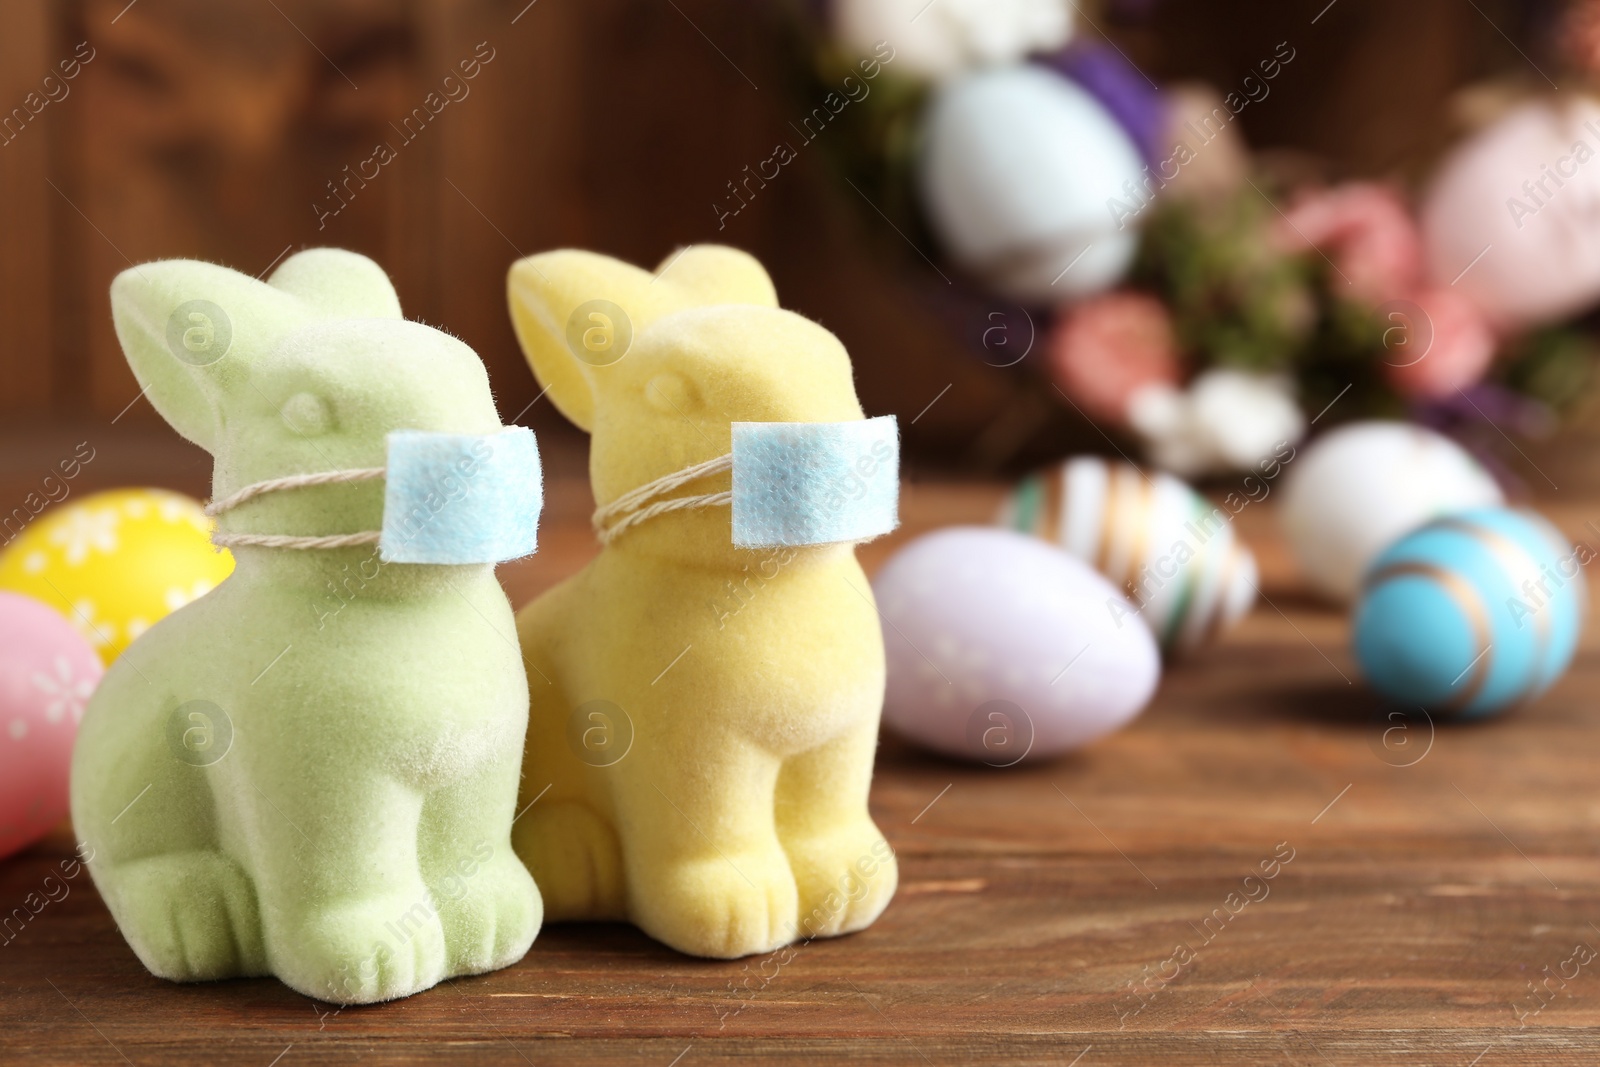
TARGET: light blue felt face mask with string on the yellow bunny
(794,484)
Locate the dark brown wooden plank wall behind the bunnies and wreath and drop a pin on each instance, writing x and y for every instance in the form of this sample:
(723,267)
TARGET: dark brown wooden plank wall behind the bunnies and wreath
(209,129)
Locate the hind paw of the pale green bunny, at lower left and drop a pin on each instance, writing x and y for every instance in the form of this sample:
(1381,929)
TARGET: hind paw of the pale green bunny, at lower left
(191,917)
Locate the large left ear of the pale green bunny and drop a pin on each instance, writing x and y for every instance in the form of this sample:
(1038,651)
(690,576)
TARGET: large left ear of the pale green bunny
(190,330)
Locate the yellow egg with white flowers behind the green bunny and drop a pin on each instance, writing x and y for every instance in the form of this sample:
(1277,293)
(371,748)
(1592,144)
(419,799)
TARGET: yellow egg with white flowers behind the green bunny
(116,562)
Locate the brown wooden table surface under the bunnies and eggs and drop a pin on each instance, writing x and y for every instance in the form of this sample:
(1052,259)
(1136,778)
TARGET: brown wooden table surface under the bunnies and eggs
(1438,877)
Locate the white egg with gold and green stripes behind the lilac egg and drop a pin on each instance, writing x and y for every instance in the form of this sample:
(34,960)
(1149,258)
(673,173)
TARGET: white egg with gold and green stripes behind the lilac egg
(1170,549)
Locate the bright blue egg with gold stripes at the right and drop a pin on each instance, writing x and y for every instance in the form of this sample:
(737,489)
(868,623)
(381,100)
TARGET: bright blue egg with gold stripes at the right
(1473,613)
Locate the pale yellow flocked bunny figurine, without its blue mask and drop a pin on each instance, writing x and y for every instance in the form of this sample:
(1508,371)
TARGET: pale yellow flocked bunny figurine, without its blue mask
(703,716)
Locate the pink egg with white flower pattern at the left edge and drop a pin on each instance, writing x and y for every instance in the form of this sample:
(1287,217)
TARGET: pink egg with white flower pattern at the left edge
(47,676)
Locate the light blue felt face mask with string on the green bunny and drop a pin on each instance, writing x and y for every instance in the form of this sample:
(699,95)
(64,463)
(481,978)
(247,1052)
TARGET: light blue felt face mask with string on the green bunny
(449,498)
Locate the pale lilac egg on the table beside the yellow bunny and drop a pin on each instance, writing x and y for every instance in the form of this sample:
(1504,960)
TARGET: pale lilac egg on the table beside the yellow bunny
(1004,649)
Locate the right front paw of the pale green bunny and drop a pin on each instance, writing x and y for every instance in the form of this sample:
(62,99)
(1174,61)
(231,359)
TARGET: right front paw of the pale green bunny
(490,917)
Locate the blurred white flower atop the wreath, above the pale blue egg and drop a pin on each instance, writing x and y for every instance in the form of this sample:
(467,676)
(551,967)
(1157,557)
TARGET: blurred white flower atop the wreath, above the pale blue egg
(942,39)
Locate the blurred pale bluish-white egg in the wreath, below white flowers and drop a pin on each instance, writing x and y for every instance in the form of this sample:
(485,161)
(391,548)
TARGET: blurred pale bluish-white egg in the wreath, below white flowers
(1022,175)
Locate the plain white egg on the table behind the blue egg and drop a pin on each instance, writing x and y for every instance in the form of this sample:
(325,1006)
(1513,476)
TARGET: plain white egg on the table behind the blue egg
(1356,490)
